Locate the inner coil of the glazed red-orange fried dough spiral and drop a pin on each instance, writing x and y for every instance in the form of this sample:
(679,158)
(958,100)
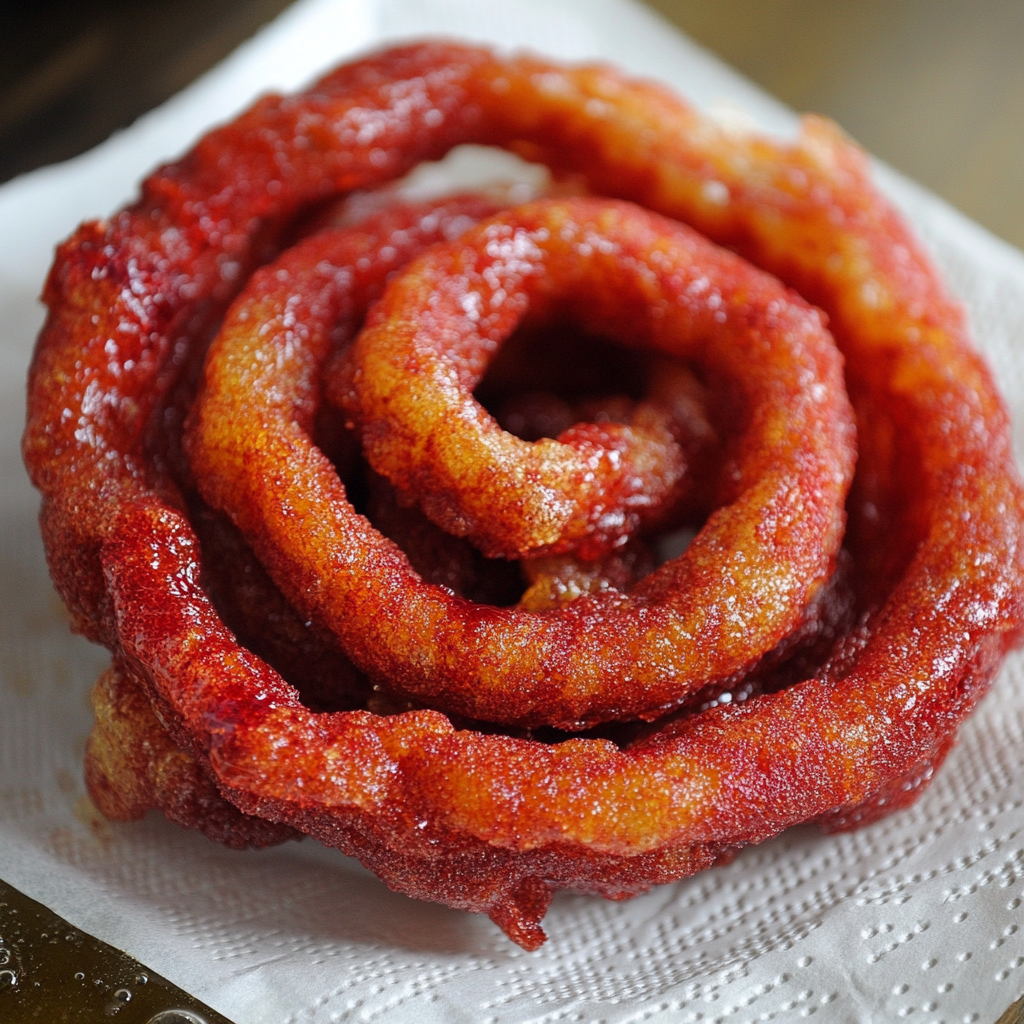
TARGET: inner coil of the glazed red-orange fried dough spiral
(743,584)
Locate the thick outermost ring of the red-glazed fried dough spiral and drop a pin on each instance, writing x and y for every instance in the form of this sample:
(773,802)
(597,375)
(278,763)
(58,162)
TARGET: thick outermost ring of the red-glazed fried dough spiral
(846,719)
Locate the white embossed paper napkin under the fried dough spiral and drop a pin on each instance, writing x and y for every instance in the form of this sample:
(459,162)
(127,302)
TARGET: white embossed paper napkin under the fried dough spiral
(915,918)
